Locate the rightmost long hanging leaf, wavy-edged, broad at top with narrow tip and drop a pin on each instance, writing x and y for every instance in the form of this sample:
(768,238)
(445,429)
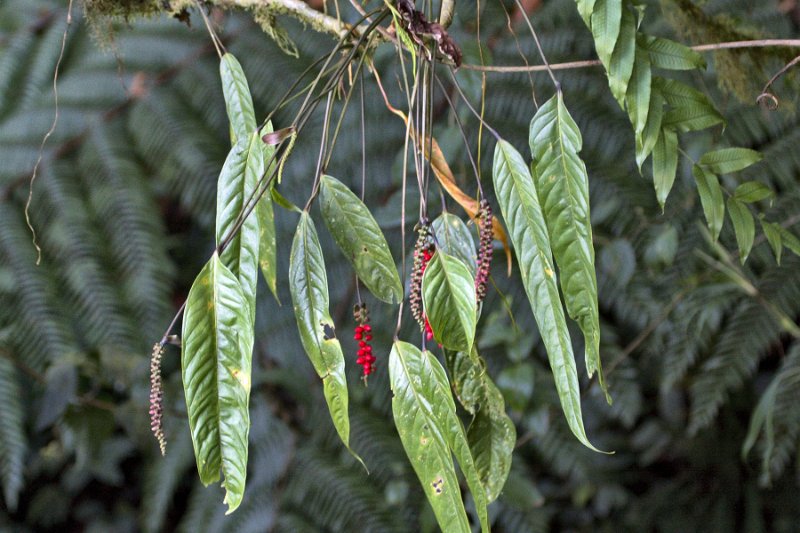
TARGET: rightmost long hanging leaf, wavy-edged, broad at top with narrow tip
(563,186)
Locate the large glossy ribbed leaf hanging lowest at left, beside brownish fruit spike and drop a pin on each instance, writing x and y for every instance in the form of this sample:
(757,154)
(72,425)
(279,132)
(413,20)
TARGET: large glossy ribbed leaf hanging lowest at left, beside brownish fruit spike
(216,357)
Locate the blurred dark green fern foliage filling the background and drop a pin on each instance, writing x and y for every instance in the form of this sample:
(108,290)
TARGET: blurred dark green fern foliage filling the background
(705,421)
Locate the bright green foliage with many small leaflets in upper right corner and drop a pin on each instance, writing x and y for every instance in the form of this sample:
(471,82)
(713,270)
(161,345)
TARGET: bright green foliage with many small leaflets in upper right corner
(659,108)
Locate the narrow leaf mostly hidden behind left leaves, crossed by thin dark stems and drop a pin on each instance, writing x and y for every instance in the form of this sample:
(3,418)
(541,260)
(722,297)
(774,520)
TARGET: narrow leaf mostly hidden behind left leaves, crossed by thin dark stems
(267,248)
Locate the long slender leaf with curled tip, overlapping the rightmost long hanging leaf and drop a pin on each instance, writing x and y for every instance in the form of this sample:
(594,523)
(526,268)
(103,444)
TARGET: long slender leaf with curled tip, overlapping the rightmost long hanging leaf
(516,194)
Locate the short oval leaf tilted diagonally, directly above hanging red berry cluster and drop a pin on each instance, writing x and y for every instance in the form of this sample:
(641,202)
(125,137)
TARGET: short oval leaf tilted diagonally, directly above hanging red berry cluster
(360,239)
